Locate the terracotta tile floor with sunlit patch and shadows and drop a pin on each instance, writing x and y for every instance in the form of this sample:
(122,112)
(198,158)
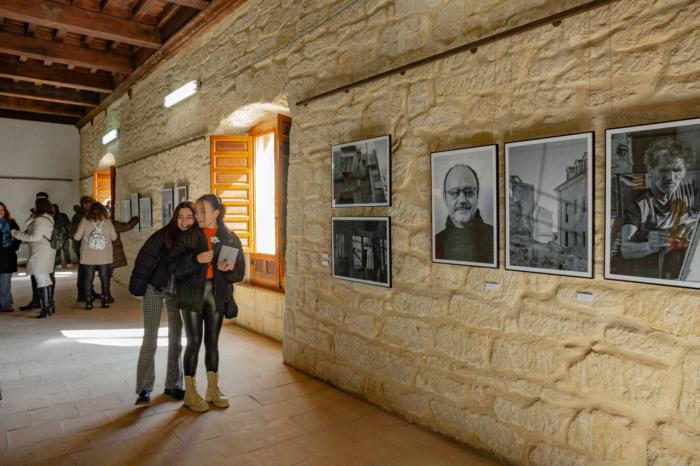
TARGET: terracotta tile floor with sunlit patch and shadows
(68,391)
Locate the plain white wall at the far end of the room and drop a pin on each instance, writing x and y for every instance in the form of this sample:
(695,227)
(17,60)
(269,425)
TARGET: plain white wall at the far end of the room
(38,150)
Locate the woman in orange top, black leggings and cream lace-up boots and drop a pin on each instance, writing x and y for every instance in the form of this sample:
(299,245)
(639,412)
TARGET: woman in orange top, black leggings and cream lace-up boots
(205,294)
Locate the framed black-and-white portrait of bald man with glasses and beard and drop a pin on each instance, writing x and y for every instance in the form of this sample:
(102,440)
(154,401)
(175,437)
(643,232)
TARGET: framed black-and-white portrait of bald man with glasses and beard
(465,206)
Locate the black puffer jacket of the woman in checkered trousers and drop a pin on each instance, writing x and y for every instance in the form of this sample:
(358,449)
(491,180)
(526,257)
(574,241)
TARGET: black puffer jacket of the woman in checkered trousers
(151,265)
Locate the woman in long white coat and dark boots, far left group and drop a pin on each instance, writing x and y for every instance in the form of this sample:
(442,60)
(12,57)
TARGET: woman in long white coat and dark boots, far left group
(41,255)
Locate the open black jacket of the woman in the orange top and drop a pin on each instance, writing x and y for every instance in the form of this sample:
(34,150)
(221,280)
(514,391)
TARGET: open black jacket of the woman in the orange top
(191,276)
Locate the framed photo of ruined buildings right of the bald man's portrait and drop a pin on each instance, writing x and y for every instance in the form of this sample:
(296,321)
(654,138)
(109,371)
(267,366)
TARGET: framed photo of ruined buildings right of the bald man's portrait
(549,205)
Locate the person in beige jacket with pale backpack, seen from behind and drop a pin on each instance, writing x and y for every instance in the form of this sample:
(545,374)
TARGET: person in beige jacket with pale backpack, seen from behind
(95,233)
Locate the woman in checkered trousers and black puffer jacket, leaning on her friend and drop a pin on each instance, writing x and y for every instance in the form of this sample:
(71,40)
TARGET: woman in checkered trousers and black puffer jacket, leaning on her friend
(151,278)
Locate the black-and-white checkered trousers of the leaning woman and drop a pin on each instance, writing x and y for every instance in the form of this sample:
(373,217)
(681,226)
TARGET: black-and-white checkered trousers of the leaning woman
(145,371)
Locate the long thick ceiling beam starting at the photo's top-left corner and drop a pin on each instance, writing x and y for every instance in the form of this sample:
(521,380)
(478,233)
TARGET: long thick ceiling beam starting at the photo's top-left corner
(79,21)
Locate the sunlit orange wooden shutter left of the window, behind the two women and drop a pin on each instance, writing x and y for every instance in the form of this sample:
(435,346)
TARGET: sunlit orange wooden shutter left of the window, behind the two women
(232,181)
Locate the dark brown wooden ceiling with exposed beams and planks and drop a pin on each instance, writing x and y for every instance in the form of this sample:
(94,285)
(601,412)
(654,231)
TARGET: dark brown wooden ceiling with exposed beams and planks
(59,59)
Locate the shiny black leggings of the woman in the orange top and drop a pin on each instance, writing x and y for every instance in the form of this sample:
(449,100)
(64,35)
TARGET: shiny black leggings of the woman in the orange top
(207,322)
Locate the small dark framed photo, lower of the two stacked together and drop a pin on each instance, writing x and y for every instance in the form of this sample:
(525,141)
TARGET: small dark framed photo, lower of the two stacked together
(362,249)
